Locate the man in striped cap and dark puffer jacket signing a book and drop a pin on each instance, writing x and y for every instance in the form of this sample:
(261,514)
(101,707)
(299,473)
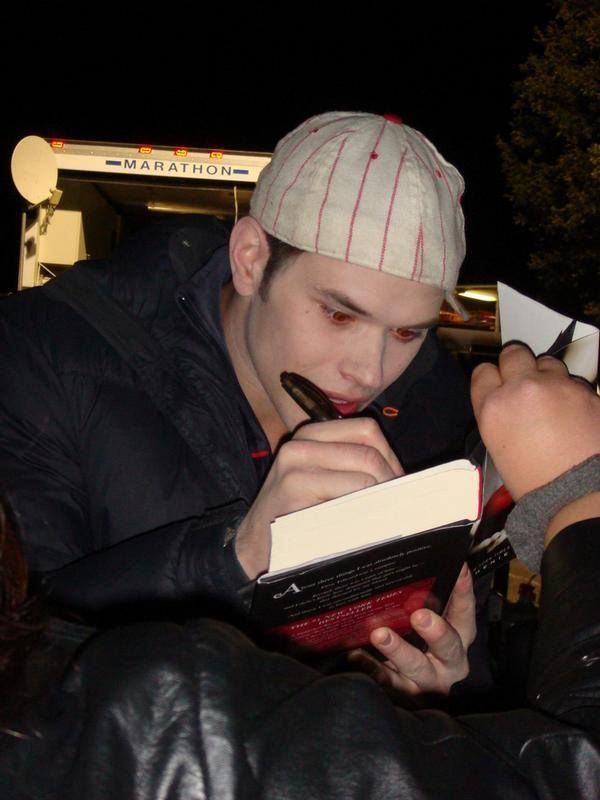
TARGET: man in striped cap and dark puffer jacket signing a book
(151,474)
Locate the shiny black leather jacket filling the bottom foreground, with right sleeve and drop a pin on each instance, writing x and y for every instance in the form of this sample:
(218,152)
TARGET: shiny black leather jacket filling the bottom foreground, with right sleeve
(160,711)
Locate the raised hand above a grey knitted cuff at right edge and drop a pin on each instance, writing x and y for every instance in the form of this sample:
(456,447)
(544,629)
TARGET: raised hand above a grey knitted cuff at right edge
(535,420)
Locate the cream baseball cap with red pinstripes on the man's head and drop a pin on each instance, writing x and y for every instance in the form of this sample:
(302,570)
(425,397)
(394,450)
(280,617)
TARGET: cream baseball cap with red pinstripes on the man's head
(369,190)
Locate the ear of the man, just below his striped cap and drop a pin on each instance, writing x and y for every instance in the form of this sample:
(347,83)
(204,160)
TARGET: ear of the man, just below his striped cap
(248,253)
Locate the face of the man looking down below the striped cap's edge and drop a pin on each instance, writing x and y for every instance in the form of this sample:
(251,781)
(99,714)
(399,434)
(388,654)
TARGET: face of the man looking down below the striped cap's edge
(350,330)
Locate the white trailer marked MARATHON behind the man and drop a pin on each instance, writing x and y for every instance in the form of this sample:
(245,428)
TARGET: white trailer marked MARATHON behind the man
(83,197)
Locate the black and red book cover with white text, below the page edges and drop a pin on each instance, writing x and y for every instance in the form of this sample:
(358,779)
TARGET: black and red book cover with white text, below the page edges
(334,604)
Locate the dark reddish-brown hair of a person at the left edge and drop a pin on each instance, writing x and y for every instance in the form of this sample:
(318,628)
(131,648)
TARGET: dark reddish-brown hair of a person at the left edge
(22,619)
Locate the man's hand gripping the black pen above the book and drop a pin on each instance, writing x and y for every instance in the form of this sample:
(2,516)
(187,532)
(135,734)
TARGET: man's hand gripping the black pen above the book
(322,461)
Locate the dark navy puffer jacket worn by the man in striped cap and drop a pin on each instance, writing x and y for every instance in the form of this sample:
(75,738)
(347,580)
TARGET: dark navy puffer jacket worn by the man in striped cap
(120,505)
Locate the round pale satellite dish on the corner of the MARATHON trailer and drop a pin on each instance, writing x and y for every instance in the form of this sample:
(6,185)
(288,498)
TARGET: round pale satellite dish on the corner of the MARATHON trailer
(34,169)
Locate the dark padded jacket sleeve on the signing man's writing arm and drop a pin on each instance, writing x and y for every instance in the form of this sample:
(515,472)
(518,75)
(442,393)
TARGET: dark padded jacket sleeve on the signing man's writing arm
(40,468)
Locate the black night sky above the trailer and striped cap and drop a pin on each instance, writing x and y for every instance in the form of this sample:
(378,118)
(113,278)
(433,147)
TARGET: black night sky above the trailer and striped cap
(230,81)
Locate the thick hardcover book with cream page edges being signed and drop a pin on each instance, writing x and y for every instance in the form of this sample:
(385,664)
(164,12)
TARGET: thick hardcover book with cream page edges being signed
(344,567)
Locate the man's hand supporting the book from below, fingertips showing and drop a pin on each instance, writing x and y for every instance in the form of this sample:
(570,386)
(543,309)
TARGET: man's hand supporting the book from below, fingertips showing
(448,638)
